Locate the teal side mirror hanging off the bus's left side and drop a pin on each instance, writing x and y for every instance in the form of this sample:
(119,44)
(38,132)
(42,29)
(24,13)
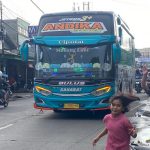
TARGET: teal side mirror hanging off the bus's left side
(24,50)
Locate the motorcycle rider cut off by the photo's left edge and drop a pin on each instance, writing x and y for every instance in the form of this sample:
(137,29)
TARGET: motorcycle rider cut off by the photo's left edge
(3,86)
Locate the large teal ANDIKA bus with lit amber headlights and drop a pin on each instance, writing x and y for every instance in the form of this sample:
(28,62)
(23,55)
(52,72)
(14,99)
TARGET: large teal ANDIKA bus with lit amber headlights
(81,60)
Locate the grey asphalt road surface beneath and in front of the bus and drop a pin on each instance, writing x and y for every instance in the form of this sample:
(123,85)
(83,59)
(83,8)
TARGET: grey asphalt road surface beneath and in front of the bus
(24,128)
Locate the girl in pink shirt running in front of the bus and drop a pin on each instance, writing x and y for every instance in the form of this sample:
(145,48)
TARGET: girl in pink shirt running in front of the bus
(117,126)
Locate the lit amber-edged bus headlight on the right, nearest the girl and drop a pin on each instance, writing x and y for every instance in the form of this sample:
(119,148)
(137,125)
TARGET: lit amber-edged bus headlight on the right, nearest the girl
(101,91)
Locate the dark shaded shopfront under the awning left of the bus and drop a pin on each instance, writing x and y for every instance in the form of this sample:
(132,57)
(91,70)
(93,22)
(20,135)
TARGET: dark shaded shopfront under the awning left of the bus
(15,69)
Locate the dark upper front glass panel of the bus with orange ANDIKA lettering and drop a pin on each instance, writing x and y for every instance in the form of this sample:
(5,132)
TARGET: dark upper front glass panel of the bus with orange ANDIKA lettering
(76,24)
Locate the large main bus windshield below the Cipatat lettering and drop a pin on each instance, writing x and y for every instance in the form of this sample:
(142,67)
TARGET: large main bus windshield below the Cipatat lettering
(90,62)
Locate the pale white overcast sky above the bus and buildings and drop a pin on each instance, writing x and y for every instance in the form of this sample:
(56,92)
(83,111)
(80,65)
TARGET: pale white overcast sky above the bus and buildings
(136,13)
